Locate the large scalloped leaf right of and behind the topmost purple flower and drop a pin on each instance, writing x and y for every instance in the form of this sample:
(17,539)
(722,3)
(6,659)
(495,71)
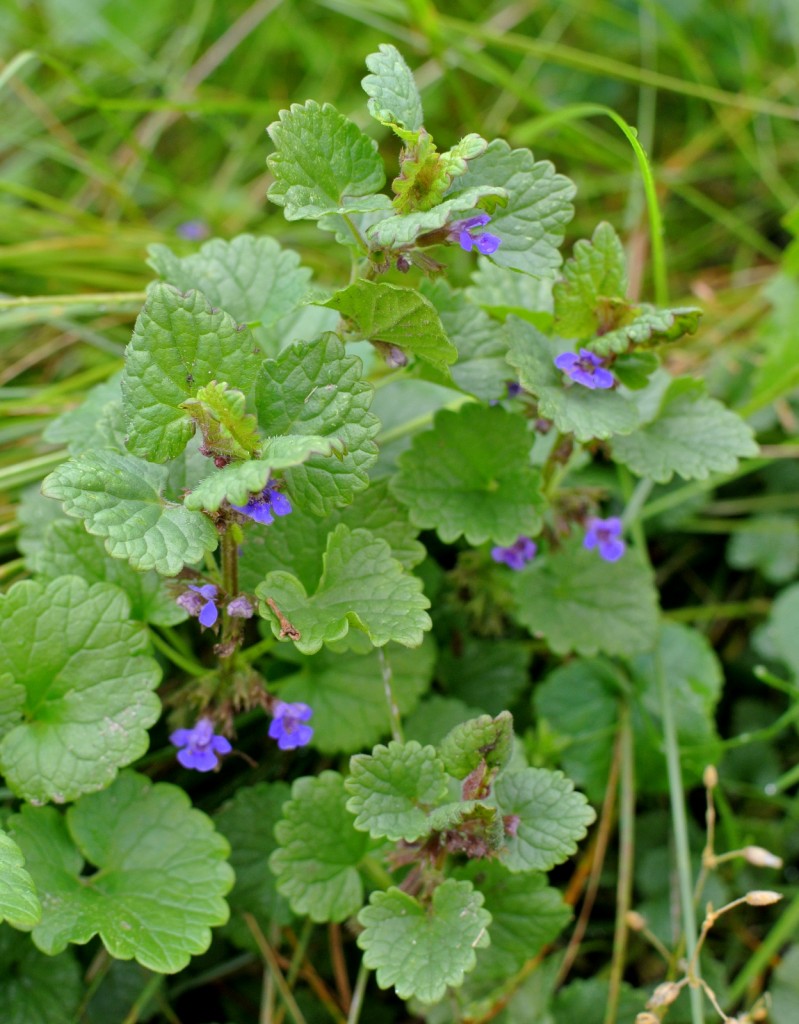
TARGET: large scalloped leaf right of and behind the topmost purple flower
(533,224)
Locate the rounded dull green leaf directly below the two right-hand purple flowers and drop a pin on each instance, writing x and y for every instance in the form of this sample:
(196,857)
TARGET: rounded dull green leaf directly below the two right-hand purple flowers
(578,603)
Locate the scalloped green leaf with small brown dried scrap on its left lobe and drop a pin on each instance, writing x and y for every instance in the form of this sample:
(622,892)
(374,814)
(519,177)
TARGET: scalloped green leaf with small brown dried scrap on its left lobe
(361,586)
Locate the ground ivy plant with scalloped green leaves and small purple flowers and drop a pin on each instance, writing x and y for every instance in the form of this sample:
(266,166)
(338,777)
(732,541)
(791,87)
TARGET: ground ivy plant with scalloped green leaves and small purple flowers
(262,473)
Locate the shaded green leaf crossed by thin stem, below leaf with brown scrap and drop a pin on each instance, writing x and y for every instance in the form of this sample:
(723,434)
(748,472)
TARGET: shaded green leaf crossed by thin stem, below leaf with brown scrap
(348,693)
